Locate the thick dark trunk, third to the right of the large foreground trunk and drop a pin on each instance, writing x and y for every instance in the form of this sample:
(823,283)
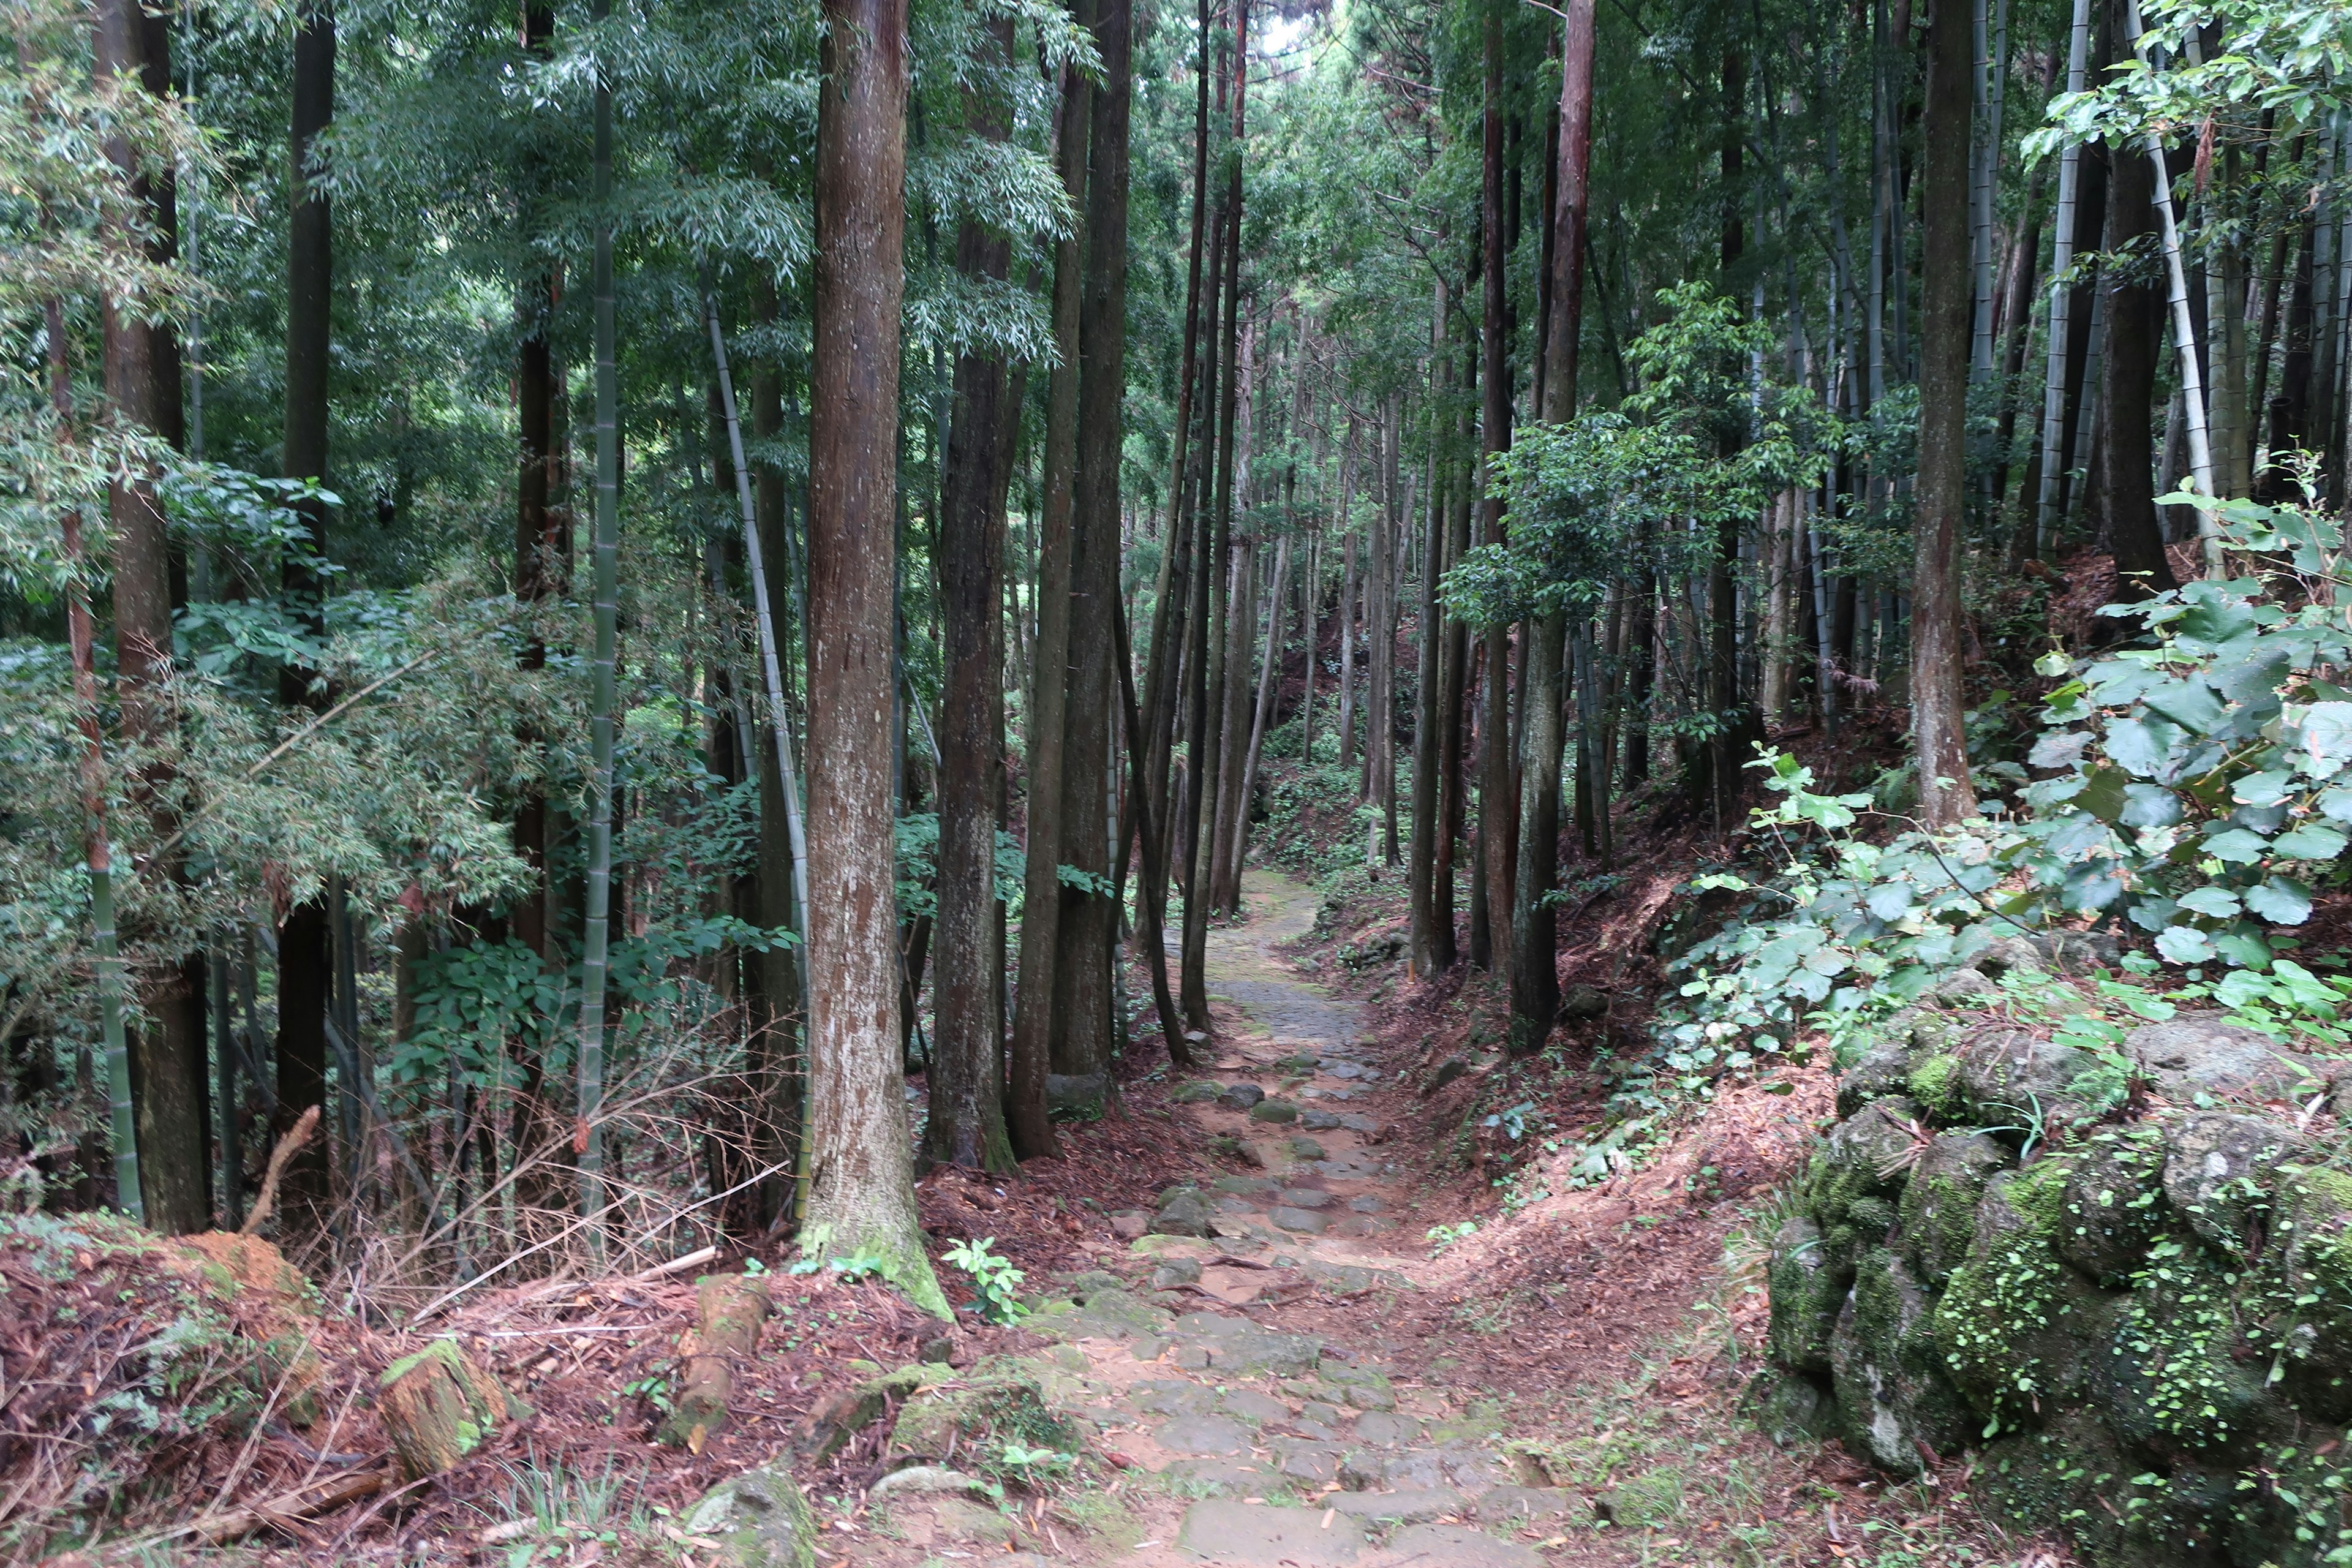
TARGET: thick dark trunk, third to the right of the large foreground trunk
(1090,923)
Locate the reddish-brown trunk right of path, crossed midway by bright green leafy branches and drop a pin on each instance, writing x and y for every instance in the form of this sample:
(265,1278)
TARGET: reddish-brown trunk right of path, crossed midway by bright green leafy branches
(1535,979)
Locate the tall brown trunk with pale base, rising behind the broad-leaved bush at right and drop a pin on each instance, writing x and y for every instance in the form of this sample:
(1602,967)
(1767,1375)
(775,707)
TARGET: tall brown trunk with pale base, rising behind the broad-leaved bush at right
(1939,742)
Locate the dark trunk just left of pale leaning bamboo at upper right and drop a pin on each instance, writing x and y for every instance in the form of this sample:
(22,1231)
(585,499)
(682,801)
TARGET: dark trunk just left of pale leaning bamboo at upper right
(2130,363)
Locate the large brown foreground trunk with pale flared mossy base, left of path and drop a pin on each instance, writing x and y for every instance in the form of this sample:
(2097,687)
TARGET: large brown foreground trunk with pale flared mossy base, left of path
(862,1181)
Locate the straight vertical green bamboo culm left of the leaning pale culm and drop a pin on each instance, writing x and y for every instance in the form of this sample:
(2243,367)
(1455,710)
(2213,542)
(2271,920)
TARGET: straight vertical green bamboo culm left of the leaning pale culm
(608,589)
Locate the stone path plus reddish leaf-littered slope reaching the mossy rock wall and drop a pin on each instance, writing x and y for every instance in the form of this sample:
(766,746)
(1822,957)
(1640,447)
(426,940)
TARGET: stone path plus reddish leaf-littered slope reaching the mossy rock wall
(1358,1372)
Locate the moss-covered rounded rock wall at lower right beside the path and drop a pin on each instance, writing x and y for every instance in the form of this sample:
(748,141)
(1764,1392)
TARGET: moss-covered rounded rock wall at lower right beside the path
(2120,1268)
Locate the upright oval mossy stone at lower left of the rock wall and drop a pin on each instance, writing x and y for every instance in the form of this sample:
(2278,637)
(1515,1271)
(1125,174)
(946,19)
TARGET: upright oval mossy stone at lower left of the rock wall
(1887,1369)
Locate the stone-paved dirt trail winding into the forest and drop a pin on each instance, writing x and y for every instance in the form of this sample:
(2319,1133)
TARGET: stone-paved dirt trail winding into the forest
(1297,1447)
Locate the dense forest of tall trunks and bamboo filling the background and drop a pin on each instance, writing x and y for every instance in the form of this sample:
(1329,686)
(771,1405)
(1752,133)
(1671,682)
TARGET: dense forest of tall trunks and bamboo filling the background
(596,591)
